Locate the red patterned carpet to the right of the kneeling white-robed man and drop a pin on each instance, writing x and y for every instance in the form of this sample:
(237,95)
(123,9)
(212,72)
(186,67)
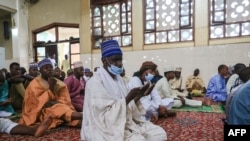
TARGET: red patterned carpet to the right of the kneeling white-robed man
(194,126)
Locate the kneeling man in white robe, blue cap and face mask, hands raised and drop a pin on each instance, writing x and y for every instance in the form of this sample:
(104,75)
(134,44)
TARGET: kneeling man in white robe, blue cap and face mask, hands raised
(111,112)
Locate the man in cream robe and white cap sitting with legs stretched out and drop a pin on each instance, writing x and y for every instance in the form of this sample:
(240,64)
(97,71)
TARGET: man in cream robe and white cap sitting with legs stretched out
(165,91)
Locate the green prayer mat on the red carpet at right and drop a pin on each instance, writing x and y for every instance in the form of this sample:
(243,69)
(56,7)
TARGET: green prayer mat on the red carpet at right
(211,109)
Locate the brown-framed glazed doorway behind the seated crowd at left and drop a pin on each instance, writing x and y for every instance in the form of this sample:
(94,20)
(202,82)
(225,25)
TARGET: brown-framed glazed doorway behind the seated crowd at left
(57,39)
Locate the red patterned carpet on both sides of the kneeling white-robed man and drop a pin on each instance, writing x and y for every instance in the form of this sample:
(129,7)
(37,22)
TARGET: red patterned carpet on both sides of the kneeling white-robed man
(186,126)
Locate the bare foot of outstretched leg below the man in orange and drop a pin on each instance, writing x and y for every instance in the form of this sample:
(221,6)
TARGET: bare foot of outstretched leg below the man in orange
(44,125)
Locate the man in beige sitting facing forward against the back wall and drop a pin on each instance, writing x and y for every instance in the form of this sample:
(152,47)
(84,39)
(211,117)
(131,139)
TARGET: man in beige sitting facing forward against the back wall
(195,84)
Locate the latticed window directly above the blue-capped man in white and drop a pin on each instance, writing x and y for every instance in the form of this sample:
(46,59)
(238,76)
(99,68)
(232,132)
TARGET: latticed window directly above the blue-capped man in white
(111,20)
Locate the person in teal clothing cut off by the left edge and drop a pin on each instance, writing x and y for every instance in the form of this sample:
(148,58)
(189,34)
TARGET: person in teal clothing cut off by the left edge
(6,108)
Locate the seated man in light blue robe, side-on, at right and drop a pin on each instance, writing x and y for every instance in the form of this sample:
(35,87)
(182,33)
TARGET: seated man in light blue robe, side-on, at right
(216,89)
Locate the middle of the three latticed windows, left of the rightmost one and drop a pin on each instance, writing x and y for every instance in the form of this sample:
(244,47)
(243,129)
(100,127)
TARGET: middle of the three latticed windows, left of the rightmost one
(168,21)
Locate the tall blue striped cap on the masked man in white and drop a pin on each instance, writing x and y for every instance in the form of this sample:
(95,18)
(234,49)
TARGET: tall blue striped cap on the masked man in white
(110,48)
